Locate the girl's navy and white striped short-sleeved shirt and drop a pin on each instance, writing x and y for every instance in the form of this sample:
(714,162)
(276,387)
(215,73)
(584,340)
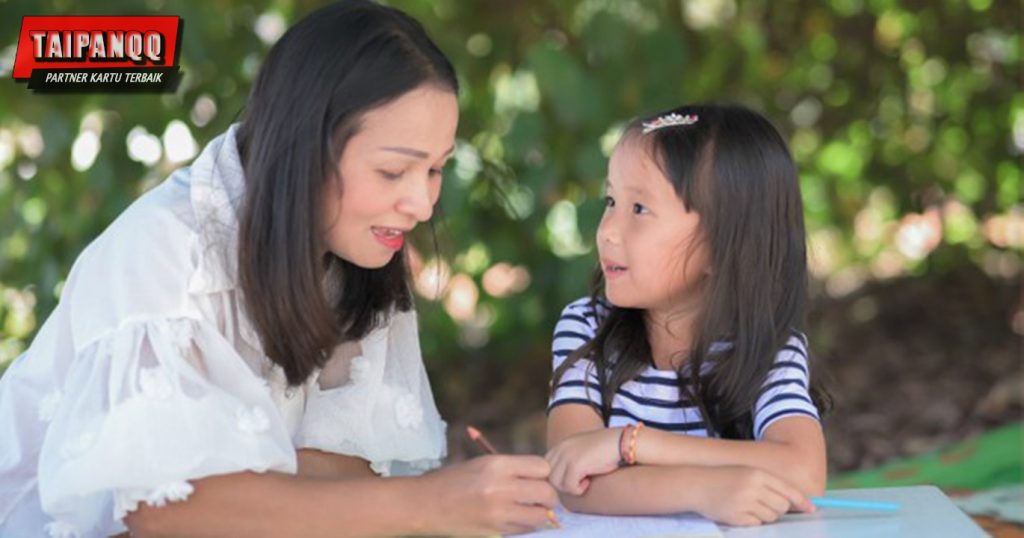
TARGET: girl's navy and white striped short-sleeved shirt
(654,397)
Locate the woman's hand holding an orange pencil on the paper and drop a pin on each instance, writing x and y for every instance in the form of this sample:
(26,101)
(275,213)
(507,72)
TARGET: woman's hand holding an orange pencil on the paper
(492,494)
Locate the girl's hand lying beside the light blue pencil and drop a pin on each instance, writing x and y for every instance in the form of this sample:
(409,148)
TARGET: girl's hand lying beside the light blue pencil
(746,496)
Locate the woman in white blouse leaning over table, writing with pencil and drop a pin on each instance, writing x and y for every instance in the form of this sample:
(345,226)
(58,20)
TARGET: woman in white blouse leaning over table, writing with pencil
(237,354)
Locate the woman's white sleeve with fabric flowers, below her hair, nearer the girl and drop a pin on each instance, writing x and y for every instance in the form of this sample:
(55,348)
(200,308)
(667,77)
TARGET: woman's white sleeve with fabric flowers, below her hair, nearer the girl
(385,412)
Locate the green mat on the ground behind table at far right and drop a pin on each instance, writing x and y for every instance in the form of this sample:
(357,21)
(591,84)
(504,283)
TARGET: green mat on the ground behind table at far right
(993,460)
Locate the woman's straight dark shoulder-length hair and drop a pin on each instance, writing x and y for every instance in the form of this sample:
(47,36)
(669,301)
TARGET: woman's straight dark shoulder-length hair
(317,84)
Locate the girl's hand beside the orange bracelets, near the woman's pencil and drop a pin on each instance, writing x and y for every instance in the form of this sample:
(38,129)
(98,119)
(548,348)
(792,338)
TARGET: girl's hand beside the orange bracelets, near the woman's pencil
(581,457)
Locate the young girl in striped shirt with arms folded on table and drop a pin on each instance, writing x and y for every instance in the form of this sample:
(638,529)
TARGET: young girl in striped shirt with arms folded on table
(684,384)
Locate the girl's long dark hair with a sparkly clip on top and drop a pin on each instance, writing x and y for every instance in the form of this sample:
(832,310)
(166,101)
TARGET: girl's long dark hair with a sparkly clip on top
(734,169)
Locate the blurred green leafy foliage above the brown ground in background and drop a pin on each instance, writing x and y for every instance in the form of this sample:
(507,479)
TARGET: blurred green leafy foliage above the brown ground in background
(889,109)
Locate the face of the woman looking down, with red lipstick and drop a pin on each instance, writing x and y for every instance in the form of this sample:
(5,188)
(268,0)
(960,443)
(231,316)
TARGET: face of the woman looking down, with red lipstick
(390,177)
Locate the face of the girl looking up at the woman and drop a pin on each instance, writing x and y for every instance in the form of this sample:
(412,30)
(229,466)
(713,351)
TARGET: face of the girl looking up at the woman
(650,245)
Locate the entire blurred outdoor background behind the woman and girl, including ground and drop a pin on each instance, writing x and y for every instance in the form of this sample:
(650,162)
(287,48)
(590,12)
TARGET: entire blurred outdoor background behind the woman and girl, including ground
(907,119)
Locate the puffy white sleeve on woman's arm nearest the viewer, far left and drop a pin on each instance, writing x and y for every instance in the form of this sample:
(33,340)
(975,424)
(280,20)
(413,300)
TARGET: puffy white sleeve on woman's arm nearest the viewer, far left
(168,401)
